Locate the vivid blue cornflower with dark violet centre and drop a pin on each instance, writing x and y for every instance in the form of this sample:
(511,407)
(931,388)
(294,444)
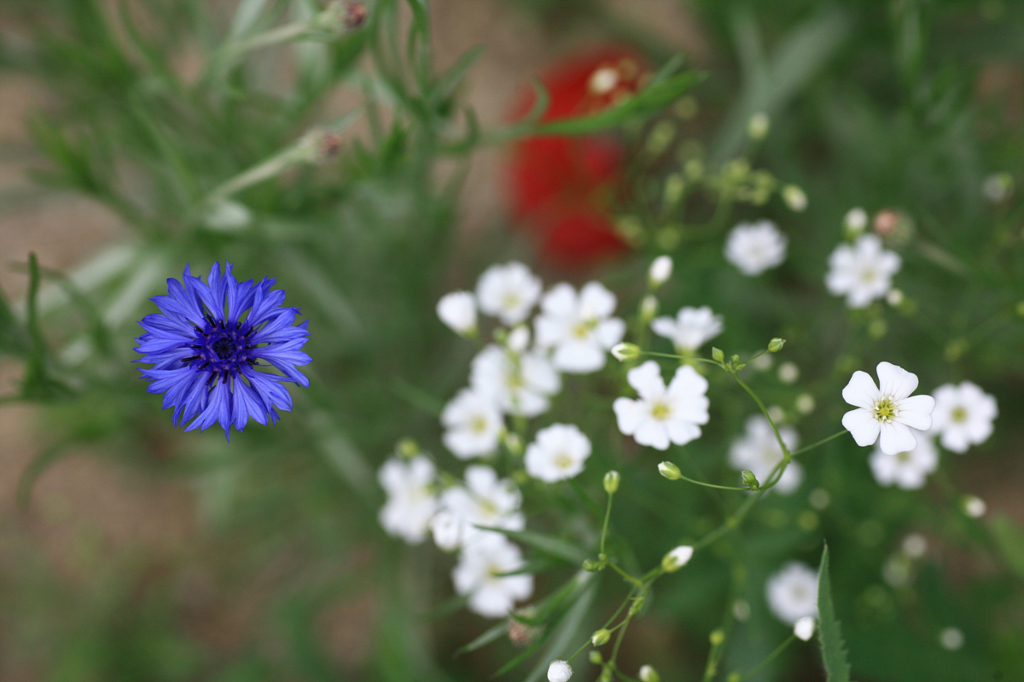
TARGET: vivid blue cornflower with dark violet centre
(208,343)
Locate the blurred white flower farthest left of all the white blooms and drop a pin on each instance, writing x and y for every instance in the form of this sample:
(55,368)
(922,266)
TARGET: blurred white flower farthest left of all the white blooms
(411,502)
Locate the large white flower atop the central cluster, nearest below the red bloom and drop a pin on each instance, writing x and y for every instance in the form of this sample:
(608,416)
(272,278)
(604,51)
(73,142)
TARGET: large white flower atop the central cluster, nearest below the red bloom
(580,329)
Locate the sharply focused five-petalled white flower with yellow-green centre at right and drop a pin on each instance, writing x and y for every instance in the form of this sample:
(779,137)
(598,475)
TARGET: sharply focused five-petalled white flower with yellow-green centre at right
(888,411)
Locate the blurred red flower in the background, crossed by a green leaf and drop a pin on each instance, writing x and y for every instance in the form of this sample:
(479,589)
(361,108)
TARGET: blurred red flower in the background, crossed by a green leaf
(563,188)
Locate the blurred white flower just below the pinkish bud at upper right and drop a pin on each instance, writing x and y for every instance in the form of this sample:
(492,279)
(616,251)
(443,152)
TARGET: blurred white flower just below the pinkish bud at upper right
(863,273)
